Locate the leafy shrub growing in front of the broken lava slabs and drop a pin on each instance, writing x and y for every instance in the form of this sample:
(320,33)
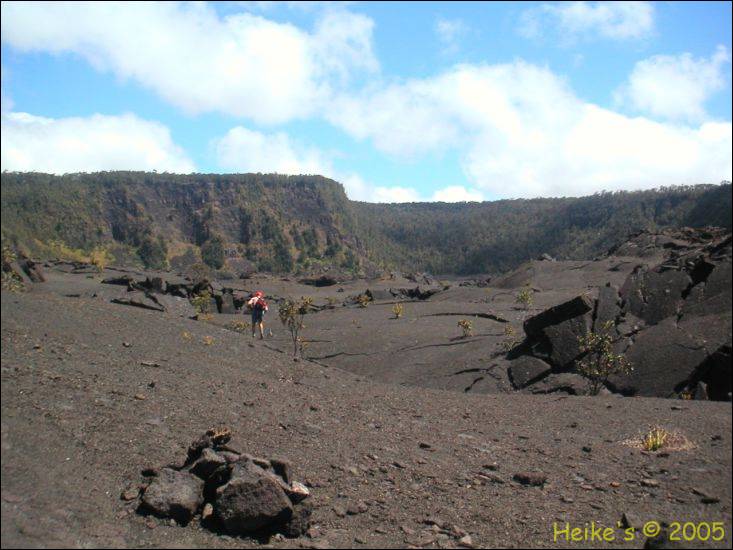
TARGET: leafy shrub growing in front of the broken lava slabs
(600,362)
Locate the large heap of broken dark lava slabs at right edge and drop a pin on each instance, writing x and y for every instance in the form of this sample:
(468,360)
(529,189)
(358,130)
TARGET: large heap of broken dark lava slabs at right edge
(672,322)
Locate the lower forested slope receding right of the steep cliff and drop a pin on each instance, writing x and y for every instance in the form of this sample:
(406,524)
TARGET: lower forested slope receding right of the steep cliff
(491,237)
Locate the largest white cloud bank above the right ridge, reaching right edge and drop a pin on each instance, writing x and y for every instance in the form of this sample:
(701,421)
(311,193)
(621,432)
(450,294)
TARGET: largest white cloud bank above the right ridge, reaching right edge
(520,131)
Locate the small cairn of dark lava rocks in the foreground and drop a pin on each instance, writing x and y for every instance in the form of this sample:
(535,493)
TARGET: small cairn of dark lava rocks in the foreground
(230,491)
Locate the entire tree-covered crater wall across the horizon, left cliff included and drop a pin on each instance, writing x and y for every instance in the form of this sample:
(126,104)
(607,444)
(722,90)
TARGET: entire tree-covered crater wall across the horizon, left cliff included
(306,224)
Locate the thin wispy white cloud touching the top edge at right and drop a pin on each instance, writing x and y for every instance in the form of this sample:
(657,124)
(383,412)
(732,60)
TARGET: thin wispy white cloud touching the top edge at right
(573,20)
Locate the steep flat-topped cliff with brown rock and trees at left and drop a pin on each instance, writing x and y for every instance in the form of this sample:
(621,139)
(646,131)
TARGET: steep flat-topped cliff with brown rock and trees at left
(271,222)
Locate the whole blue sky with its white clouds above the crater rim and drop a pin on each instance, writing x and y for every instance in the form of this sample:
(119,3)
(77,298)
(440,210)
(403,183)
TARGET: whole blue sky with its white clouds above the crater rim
(398,101)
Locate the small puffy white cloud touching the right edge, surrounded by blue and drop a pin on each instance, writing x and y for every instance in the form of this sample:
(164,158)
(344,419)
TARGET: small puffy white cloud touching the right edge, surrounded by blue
(675,87)
